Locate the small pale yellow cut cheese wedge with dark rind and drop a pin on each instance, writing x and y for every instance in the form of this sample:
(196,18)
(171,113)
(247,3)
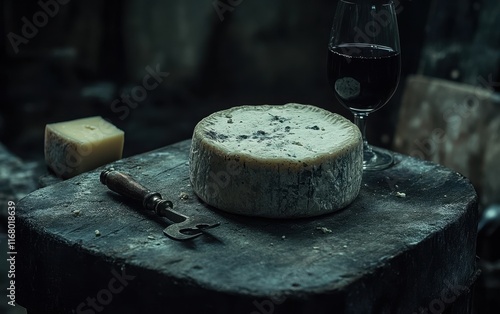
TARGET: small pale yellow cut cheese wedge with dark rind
(77,146)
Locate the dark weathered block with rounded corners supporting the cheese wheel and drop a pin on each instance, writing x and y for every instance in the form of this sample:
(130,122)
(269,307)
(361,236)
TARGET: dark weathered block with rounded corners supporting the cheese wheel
(383,254)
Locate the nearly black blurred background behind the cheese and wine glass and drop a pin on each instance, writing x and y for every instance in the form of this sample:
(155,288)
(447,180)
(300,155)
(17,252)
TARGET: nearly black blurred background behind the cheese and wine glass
(91,53)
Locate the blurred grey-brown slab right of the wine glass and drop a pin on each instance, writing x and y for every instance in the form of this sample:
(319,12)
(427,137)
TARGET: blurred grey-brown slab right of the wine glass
(453,124)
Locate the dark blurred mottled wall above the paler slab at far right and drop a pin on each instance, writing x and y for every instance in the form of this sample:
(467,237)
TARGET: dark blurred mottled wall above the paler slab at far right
(463,43)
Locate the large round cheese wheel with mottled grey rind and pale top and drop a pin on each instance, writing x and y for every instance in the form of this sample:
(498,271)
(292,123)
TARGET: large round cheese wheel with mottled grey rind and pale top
(281,161)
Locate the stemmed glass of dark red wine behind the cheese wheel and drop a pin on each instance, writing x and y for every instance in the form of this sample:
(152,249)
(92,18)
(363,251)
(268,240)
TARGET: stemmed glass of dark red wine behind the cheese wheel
(364,64)
